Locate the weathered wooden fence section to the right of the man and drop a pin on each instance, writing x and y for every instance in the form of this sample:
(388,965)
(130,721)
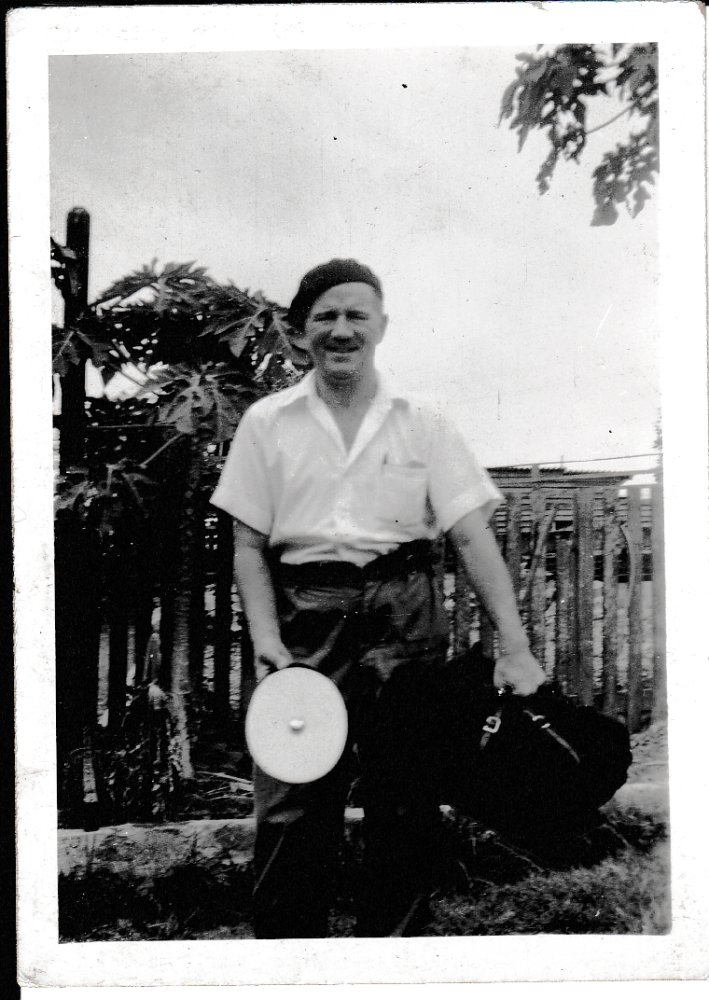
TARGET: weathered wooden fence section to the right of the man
(587,565)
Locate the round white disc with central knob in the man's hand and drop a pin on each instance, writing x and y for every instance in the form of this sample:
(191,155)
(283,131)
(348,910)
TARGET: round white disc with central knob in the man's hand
(296,725)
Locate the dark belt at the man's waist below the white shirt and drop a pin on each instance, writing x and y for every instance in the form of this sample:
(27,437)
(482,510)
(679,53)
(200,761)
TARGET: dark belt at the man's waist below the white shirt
(411,557)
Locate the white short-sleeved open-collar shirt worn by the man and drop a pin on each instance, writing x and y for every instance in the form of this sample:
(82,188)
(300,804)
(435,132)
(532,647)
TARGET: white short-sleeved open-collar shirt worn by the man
(409,474)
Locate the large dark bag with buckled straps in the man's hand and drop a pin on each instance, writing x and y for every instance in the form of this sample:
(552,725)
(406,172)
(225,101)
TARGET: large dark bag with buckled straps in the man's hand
(531,768)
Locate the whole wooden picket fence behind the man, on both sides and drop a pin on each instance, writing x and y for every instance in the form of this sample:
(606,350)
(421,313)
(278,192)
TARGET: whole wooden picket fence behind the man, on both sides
(586,563)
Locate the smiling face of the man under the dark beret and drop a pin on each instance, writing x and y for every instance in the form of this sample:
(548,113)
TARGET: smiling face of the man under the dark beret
(342,331)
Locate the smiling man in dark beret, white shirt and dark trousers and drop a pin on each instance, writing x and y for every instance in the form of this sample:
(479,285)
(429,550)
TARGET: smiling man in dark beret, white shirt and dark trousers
(338,485)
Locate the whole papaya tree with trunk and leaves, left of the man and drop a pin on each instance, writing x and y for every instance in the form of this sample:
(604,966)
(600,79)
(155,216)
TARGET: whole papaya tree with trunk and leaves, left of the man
(194,354)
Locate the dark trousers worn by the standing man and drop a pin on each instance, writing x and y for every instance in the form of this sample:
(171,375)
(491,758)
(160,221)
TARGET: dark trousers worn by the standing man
(379,640)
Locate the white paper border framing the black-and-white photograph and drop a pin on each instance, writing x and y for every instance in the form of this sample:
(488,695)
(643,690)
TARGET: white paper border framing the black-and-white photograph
(35,34)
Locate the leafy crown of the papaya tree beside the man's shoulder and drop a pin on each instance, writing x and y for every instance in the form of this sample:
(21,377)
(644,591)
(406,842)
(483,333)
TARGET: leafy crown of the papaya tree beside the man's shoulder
(192,355)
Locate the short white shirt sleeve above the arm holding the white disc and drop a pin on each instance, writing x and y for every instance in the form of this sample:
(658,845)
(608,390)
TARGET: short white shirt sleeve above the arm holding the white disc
(243,489)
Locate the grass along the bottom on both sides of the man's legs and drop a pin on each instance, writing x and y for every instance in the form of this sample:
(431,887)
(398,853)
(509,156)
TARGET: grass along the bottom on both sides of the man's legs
(615,882)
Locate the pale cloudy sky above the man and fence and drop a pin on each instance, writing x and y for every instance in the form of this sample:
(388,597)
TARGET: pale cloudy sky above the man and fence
(534,331)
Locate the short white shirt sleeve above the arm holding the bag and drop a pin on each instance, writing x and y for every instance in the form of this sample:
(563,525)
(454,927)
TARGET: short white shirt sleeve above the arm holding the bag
(458,483)
